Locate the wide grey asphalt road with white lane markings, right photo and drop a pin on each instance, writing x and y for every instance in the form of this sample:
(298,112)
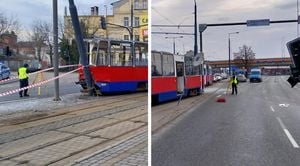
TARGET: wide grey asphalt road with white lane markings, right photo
(258,127)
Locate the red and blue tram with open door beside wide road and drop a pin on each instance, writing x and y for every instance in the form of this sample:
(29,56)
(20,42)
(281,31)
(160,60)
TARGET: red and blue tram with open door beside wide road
(173,76)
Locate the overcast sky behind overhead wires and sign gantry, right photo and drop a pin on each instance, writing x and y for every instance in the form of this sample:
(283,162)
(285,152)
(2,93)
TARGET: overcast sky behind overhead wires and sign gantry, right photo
(266,41)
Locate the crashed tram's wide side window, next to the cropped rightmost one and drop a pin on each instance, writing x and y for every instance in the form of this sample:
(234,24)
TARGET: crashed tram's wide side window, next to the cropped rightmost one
(120,55)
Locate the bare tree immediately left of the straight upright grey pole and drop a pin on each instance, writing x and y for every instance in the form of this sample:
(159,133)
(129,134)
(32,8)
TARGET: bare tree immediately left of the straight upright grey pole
(40,36)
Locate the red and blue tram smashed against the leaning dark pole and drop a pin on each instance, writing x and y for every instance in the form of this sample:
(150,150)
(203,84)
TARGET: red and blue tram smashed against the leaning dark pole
(117,66)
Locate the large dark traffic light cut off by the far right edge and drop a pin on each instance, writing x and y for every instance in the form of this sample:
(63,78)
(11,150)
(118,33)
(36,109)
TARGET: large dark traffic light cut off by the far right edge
(294,50)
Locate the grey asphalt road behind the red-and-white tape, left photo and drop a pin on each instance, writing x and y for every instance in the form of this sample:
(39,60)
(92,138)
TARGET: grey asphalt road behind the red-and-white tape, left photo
(66,86)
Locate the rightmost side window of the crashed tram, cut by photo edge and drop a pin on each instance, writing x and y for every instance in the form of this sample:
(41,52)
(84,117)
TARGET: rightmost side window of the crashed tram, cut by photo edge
(141,55)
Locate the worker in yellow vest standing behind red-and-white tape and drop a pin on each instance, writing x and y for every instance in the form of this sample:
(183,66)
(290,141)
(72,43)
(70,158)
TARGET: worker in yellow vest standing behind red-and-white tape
(23,77)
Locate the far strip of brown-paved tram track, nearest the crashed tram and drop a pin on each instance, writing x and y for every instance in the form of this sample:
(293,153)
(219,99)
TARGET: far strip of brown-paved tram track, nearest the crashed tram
(79,115)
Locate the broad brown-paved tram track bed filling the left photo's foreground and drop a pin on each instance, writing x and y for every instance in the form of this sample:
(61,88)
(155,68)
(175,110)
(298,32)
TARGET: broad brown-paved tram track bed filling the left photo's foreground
(130,110)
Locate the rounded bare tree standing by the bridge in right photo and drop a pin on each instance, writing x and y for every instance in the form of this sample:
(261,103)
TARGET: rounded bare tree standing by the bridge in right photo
(244,58)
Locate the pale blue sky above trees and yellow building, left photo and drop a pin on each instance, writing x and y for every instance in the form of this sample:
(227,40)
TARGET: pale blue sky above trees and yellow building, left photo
(27,11)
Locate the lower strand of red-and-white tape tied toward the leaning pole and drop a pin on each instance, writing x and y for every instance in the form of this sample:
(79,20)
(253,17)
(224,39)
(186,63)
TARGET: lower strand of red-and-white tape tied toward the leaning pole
(37,84)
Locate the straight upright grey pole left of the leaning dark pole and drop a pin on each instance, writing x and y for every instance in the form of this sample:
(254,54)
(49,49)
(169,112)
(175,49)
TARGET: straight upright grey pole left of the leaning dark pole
(55,43)
